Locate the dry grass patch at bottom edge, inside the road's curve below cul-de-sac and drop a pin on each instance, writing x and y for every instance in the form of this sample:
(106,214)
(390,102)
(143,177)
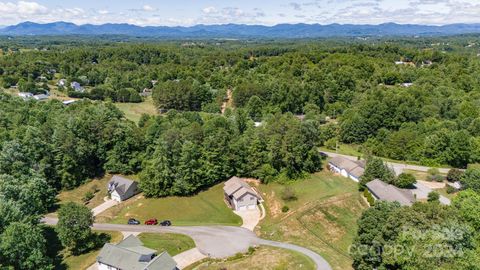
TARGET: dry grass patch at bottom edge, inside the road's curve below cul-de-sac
(263,258)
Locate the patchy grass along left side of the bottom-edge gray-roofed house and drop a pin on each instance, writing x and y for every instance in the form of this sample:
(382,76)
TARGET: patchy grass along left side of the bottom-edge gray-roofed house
(64,260)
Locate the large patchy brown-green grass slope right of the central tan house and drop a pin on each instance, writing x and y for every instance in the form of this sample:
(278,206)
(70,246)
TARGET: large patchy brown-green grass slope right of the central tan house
(323,218)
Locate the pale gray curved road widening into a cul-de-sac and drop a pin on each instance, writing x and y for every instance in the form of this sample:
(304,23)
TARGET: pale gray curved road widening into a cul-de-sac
(213,241)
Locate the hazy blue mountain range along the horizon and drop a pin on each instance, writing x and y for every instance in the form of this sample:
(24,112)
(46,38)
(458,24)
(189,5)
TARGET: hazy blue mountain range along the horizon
(239,30)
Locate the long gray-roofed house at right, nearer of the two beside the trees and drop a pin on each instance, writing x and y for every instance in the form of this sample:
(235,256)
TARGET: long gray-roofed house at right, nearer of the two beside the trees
(390,193)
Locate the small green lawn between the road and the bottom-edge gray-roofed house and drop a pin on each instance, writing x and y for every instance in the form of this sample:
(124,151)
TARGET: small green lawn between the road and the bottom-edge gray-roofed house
(172,243)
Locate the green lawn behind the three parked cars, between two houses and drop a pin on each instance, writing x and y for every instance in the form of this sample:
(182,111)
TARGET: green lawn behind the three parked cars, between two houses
(205,208)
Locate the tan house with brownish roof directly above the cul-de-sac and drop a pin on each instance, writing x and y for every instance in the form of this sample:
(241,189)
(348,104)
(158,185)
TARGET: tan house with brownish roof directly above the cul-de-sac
(240,195)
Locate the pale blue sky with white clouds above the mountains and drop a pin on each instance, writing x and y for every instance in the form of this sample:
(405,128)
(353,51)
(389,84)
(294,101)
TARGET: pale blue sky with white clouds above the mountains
(265,12)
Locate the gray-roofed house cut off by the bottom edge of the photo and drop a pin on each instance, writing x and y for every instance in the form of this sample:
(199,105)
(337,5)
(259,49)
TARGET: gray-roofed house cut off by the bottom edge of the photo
(132,255)
